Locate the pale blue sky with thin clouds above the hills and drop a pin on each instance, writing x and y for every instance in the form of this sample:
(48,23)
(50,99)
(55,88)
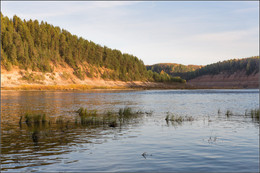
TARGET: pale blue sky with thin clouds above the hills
(187,32)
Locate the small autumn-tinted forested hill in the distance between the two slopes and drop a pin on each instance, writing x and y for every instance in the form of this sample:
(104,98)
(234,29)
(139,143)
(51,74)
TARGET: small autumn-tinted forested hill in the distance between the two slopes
(173,69)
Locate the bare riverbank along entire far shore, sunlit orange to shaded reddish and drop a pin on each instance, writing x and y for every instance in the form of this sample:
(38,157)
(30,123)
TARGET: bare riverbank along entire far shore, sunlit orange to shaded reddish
(64,79)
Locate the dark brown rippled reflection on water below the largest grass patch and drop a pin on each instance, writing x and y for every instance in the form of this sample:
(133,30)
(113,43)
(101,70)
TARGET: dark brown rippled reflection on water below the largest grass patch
(21,147)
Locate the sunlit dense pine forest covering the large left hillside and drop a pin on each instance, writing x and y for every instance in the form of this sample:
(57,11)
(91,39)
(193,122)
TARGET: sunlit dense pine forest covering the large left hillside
(40,46)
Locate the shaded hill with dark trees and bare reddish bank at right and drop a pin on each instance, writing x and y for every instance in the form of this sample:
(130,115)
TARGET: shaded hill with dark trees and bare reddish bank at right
(234,73)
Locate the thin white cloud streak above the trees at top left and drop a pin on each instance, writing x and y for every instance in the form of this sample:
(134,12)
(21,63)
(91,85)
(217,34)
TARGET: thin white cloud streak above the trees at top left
(55,9)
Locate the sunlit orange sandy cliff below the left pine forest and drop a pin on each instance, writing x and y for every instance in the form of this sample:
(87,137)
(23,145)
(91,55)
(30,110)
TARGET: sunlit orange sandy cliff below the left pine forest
(64,78)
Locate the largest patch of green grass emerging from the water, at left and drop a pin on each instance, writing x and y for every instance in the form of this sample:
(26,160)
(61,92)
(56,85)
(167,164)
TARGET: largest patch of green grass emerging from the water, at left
(85,117)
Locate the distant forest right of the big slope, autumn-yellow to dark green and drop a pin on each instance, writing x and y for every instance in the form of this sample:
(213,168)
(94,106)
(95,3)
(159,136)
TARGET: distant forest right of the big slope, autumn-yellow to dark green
(249,65)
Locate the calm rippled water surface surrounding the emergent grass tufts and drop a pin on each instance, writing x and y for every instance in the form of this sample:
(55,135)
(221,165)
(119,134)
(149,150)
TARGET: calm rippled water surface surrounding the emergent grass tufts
(210,143)
